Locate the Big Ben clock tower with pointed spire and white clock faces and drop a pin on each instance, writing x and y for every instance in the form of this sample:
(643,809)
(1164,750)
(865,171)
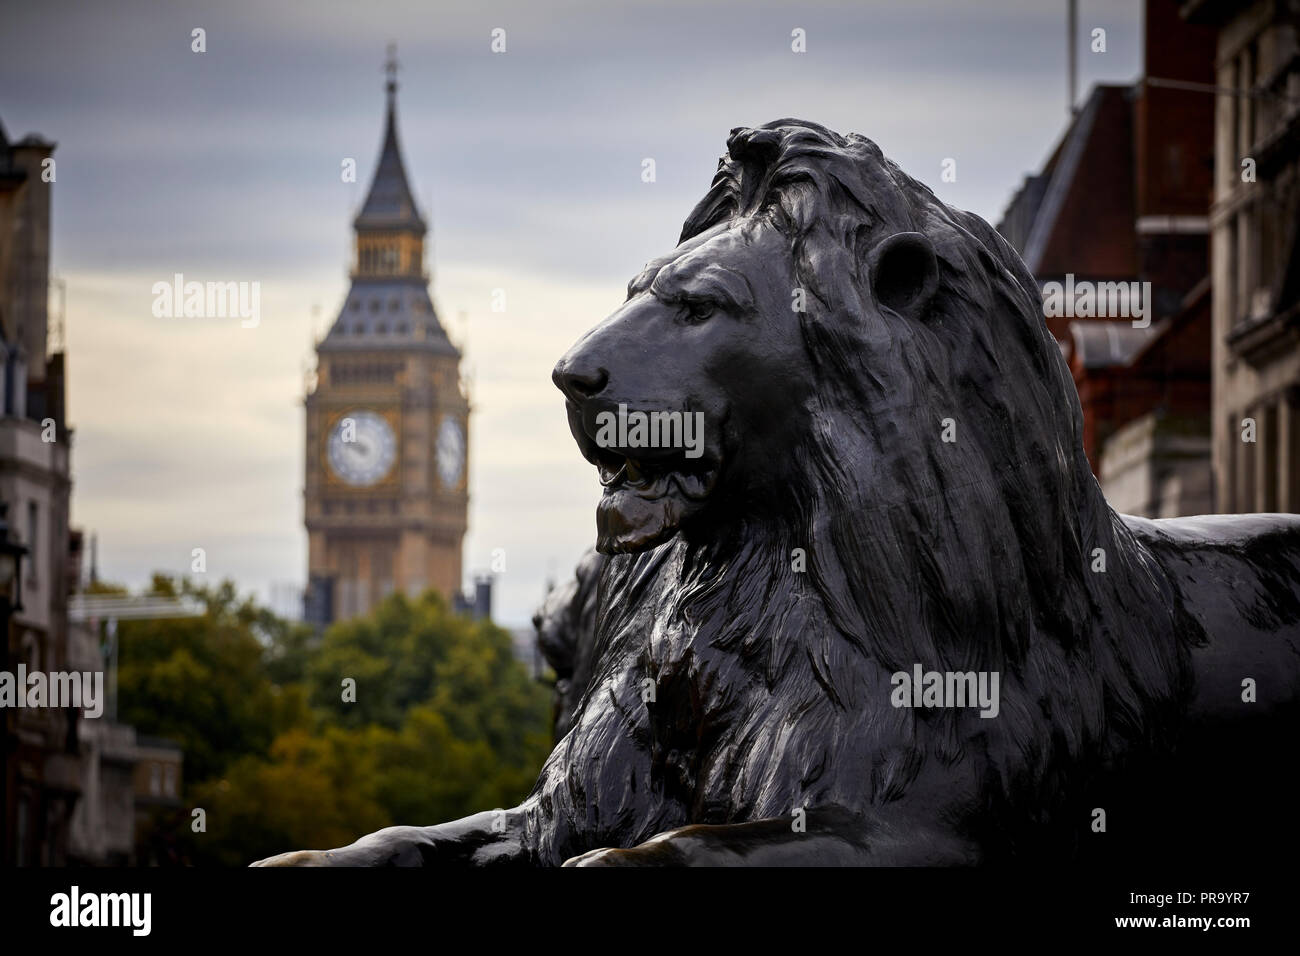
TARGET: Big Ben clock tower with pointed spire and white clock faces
(385,498)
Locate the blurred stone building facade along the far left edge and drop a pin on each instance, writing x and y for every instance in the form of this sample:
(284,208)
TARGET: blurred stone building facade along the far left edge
(42,778)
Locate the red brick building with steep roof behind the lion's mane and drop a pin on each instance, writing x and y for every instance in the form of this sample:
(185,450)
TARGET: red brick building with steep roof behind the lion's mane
(1125,198)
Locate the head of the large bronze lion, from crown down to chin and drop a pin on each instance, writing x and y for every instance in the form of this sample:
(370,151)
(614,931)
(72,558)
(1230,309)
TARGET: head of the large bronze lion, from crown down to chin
(825,315)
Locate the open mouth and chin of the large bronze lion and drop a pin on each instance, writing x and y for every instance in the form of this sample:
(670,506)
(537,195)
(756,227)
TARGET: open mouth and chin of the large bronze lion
(649,492)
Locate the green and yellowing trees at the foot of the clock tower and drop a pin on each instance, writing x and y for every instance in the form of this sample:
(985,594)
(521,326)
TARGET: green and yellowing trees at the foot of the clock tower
(447,723)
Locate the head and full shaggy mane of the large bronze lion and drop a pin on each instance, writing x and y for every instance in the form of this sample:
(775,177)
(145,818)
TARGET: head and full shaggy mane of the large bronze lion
(891,469)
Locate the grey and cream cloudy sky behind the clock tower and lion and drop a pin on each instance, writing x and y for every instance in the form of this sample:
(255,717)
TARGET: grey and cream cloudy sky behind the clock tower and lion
(226,166)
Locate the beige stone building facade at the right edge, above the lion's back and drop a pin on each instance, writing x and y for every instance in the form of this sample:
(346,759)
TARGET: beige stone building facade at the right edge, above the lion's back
(1256,254)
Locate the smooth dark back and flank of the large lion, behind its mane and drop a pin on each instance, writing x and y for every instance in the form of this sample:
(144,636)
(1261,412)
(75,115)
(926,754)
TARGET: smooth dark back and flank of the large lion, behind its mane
(1229,790)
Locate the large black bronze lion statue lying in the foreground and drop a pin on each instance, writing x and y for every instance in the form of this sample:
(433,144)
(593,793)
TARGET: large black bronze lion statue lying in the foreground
(890,491)
